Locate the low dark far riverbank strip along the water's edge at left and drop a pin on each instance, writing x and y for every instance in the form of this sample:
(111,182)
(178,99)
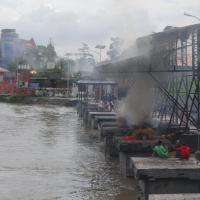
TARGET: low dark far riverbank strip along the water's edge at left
(60,101)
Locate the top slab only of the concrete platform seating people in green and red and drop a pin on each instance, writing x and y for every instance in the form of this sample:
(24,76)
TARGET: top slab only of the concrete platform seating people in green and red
(154,167)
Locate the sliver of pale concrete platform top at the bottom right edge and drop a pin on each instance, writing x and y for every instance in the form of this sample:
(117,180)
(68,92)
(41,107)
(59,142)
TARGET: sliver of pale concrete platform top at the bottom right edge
(174,197)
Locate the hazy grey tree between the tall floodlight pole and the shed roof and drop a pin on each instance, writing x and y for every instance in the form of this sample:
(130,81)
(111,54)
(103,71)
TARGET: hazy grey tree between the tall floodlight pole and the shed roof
(115,48)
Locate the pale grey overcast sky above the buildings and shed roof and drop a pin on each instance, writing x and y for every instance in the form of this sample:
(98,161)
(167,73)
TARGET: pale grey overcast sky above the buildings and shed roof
(71,22)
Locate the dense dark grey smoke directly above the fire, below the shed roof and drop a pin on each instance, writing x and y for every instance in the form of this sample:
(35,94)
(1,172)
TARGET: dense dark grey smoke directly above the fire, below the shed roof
(138,105)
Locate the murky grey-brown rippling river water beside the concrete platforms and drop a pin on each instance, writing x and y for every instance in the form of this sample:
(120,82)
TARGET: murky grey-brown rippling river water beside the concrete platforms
(46,154)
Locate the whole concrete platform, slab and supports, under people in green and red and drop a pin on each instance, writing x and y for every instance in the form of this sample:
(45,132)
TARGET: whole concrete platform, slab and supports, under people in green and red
(165,176)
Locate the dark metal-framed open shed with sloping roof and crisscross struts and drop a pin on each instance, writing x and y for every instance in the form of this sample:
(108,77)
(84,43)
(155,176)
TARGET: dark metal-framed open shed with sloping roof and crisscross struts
(172,59)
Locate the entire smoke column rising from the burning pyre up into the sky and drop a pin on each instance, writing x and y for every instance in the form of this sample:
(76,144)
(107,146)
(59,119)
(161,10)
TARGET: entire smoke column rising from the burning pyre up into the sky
(137,107)
